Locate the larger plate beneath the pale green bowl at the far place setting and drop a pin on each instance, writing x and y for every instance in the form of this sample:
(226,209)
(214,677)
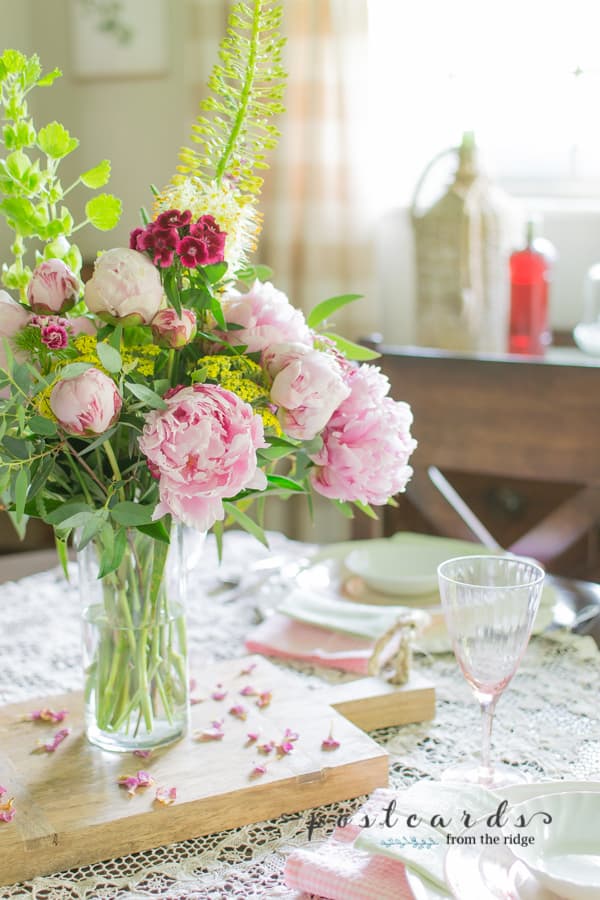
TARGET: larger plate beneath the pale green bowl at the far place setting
(326,572)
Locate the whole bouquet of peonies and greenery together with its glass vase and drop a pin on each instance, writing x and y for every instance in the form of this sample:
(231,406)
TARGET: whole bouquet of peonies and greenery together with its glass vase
(179,387)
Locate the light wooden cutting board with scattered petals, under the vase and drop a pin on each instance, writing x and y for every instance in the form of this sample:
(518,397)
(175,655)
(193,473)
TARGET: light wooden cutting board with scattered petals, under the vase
(71,812)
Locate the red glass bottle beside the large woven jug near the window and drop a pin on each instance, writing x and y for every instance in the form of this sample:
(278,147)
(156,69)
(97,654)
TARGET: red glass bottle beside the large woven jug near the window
(529,280)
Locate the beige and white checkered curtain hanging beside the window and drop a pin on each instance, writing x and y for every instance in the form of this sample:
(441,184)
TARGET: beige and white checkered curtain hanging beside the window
(316,231)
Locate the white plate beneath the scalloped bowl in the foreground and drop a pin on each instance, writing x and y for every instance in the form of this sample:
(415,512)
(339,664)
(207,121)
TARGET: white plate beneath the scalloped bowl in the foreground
(480,872)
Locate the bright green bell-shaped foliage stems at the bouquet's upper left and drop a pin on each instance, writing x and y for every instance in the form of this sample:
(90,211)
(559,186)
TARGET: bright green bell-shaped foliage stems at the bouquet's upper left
(31,194)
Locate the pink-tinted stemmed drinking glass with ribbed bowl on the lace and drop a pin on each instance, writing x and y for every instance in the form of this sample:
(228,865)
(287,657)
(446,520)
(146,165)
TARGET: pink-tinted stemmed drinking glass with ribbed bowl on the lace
(490,603)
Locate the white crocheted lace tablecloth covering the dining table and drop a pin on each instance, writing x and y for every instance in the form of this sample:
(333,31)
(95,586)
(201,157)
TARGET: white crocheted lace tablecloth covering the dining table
(548,724)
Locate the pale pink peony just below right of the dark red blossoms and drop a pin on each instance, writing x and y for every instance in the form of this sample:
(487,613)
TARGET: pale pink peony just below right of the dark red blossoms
(266,316)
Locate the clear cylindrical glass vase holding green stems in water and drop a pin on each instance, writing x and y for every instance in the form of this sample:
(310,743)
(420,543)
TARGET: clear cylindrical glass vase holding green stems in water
(134,643)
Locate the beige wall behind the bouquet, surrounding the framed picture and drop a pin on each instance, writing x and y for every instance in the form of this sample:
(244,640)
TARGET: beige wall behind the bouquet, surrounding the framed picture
(137,123)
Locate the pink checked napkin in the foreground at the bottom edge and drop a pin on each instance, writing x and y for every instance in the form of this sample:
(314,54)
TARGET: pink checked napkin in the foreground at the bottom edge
(335,870)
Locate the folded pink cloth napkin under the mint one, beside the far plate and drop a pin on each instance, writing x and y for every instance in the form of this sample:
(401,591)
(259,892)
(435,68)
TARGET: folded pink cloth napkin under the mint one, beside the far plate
(287,638)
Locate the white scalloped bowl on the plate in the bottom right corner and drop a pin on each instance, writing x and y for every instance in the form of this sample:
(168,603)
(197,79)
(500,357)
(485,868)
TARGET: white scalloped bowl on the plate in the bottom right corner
(565,855)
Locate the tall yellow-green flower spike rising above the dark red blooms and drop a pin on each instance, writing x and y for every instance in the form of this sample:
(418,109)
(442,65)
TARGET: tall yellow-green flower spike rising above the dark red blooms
(247,88)
